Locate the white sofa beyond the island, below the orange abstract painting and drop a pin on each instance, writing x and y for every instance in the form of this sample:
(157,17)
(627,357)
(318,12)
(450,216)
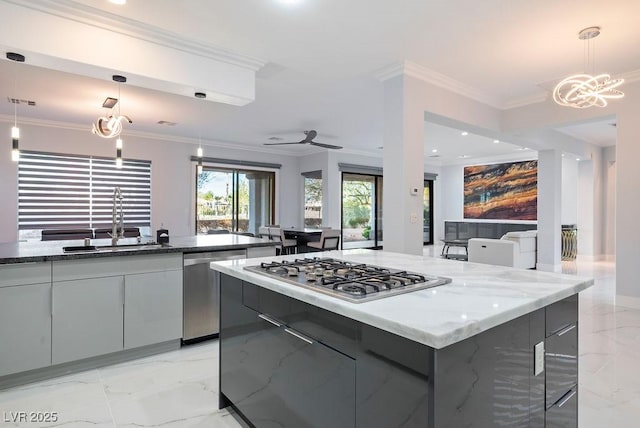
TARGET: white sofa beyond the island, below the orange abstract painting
(515,249)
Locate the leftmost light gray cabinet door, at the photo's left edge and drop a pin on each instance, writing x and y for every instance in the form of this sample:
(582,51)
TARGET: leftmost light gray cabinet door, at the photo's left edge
(25,327)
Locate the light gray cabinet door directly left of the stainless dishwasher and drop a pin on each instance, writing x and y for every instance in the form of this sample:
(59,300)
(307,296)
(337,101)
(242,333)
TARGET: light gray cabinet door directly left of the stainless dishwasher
(153,308)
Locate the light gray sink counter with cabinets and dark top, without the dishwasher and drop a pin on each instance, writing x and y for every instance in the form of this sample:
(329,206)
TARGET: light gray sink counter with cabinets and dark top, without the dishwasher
(67,311)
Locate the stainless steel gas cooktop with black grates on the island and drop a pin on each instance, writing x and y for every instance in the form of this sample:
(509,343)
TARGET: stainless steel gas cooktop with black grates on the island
(346,280)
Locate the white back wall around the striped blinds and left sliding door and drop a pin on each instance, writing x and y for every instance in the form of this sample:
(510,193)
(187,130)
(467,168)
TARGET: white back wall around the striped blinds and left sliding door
(173,177)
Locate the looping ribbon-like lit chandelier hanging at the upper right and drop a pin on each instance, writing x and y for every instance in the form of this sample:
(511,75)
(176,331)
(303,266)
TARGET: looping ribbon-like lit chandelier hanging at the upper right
(586,90)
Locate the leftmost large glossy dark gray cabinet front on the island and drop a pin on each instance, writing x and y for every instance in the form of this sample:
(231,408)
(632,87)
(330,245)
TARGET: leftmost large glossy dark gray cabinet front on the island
(280,378)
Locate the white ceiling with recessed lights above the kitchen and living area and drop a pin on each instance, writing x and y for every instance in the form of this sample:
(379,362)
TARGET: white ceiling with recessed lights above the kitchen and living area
(322,56)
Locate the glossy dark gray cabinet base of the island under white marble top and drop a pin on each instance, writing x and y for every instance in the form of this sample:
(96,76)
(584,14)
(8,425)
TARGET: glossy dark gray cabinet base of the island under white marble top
(337,372)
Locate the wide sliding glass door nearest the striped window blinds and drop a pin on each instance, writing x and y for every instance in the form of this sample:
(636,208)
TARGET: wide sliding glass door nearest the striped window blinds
(234,200)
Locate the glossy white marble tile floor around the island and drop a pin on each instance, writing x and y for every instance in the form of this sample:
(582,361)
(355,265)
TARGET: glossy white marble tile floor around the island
(179,388)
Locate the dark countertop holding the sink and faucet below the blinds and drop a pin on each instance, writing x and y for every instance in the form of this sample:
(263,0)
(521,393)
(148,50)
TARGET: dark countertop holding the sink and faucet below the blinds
(38,251)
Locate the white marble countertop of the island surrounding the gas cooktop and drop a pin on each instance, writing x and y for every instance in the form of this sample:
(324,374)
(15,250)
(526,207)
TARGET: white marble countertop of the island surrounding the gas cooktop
(478,298)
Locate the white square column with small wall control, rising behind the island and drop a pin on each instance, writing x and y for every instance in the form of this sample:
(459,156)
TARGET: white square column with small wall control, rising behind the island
(403,165)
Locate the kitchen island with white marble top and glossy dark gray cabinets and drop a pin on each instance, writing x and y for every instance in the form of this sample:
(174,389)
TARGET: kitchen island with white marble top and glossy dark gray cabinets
(496,346)
